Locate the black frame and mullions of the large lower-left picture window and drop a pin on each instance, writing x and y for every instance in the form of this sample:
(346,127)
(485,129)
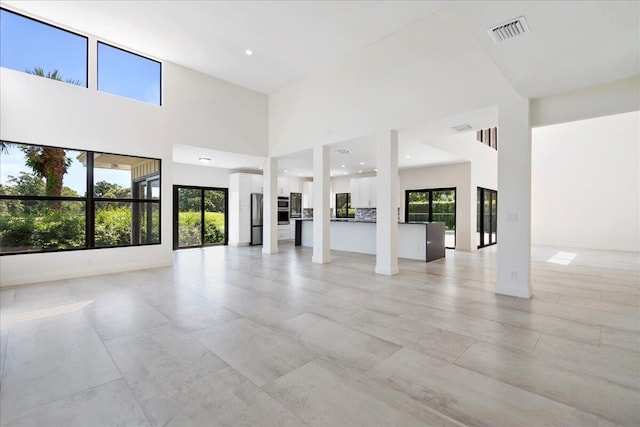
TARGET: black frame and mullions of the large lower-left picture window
(90,204)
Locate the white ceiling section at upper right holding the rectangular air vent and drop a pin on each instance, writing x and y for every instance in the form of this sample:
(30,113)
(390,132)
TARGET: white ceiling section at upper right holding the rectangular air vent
(569,45)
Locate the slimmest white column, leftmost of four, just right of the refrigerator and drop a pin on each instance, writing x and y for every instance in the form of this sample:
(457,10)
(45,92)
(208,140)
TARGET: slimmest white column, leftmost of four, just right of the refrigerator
(270,207)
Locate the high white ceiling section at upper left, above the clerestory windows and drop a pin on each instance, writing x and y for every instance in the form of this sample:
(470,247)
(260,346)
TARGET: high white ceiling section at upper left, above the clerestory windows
(289,39)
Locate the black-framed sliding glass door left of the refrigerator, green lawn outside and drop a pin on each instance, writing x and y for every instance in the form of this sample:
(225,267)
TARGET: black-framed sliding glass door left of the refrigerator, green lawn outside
(200,216)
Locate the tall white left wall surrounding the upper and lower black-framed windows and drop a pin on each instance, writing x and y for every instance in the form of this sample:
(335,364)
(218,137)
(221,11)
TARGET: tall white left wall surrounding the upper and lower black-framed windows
(196,110)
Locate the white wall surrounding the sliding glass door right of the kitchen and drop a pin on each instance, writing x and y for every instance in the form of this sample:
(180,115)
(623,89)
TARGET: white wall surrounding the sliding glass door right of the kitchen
(456,175)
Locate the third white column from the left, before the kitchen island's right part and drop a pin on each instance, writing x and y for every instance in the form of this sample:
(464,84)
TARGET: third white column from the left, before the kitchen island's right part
(387,203)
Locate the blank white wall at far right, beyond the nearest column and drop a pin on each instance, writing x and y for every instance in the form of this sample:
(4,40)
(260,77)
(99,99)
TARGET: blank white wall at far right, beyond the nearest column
(586,183)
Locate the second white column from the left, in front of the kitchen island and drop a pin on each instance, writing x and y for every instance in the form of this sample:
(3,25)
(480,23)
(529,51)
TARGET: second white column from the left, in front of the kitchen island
(321,182)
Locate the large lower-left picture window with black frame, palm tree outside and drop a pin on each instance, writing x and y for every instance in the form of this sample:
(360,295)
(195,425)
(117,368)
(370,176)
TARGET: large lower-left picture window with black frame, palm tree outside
(55,198)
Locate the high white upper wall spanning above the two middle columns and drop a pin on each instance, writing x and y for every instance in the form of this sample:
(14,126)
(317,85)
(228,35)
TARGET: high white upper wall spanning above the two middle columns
(410,77)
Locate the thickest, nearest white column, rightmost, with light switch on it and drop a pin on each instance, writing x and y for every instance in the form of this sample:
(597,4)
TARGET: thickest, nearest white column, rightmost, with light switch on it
(514,200)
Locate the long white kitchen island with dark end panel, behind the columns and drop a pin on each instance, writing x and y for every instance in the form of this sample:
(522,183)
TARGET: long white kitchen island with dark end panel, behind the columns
(420,241)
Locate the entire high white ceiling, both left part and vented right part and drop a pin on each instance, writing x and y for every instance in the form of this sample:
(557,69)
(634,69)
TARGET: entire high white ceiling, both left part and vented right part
(571,45)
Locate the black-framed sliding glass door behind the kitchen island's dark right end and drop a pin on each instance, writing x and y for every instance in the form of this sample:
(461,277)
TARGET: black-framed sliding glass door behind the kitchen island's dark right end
(433,205)
